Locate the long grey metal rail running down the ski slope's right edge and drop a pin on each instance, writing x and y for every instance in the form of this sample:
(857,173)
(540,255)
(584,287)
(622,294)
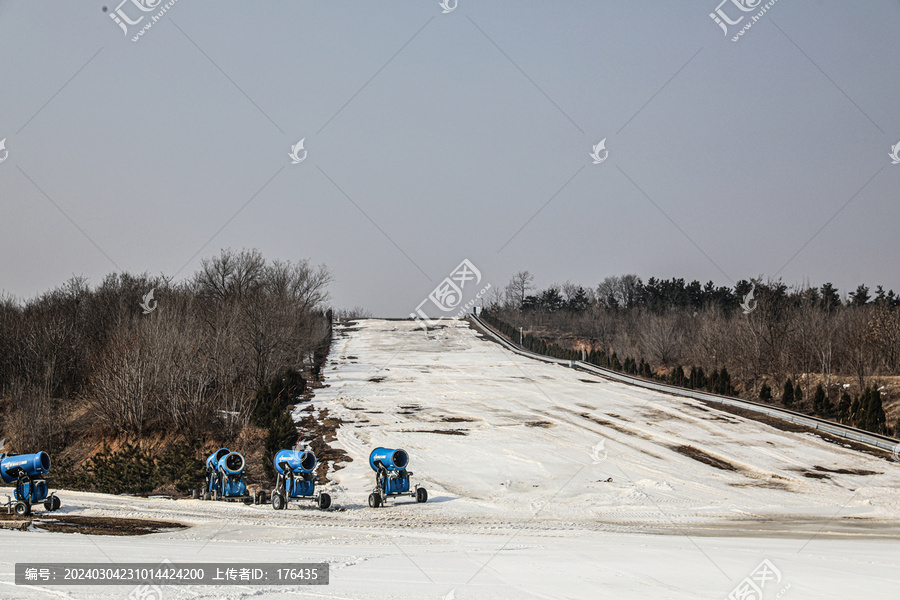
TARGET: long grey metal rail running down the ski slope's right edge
(851,433)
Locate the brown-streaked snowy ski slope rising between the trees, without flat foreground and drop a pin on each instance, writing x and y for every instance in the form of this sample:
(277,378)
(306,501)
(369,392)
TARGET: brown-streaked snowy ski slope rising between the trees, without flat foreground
(544,437)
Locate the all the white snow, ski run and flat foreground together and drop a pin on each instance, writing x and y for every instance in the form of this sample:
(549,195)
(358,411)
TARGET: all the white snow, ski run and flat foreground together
(520,504)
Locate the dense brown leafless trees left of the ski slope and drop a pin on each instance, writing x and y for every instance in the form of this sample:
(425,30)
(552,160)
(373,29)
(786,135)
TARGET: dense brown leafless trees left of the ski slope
(191,365)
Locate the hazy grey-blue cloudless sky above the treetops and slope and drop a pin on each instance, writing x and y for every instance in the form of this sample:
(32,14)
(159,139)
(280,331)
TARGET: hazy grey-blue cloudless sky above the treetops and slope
(434,137)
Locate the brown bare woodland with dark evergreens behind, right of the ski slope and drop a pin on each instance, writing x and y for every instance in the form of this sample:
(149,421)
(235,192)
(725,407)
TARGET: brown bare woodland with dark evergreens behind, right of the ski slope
(788,332)
